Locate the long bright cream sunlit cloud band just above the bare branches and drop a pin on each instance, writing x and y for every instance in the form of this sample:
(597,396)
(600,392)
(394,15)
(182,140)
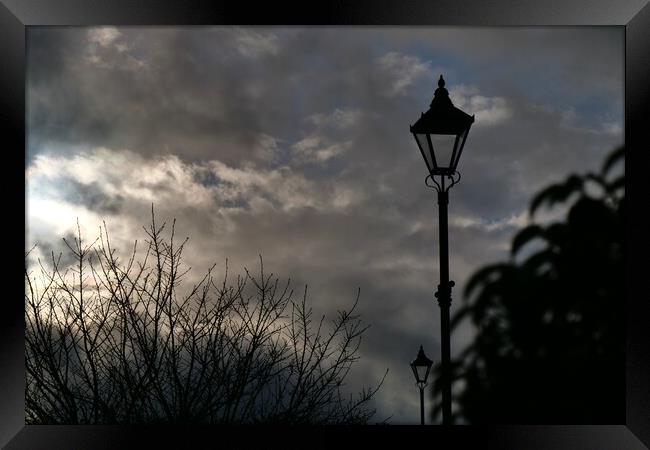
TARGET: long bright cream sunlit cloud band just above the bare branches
(102,181)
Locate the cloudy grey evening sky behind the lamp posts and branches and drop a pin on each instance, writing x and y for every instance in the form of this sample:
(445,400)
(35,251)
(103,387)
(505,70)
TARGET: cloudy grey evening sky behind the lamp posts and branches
(293,143)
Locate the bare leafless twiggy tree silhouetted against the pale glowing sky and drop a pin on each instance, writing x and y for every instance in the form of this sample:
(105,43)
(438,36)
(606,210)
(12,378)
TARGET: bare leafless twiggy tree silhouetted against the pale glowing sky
(120,341)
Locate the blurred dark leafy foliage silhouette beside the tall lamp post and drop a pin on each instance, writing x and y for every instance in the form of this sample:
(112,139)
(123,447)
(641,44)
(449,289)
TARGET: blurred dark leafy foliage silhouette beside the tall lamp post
(550,321)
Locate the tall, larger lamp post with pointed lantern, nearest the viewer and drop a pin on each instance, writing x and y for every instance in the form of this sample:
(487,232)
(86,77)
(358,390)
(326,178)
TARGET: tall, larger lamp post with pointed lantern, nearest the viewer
(440,134)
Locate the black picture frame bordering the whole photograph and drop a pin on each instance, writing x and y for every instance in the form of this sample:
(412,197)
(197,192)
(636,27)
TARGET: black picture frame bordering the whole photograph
(634,15)
